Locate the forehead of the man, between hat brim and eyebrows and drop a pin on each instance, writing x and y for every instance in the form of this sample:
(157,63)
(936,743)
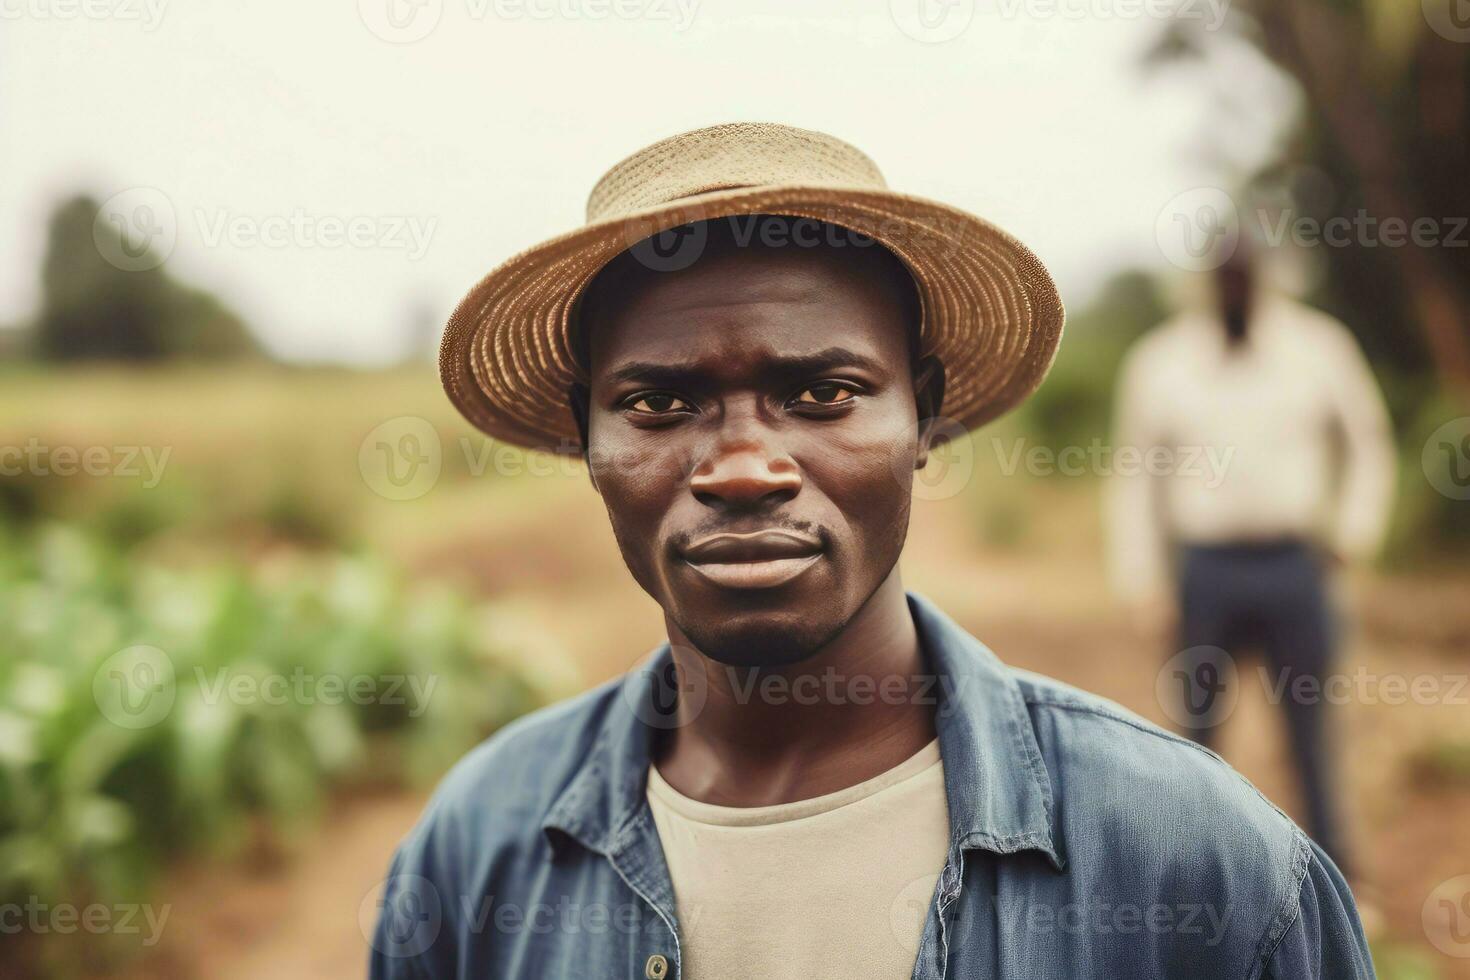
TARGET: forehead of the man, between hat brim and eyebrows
(750,308)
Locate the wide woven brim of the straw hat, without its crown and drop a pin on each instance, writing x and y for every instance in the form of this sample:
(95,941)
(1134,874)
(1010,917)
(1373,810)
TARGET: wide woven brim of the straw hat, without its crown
(990,309)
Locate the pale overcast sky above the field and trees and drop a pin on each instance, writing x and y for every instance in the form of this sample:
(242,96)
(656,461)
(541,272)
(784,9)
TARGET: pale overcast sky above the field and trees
(456,133)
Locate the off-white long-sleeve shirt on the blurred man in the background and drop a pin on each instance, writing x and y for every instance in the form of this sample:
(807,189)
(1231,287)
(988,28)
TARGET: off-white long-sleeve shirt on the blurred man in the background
(1272,415)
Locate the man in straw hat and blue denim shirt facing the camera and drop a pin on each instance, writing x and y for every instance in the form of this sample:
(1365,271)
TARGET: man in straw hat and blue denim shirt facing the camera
(755,345)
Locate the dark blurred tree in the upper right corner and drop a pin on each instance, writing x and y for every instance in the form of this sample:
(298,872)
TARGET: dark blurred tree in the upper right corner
(1387,93)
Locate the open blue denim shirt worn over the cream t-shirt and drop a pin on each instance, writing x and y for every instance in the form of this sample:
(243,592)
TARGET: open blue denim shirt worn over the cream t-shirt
(1086,843)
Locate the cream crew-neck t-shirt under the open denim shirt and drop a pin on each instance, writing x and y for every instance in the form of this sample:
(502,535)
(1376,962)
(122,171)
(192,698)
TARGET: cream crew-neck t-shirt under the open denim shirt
(833,887)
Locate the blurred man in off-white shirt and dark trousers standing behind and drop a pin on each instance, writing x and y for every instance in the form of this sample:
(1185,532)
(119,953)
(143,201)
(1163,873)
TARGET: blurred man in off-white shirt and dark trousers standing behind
(1238,556)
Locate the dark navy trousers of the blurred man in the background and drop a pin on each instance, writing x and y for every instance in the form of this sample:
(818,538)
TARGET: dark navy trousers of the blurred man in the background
(1269,597)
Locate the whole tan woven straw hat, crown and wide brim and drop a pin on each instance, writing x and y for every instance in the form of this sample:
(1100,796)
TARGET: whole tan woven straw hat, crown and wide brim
(992,312)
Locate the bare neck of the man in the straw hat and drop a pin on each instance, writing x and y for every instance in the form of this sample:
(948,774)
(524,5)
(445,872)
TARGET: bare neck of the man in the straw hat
(845,715)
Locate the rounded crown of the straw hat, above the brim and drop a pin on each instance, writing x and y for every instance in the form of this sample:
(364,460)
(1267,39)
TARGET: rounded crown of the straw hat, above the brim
(731,156)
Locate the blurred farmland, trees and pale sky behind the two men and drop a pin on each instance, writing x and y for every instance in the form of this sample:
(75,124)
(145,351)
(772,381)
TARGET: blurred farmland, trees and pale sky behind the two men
(259,584)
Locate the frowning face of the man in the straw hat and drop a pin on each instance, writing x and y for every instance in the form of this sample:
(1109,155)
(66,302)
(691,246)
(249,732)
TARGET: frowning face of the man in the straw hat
(753,433)
